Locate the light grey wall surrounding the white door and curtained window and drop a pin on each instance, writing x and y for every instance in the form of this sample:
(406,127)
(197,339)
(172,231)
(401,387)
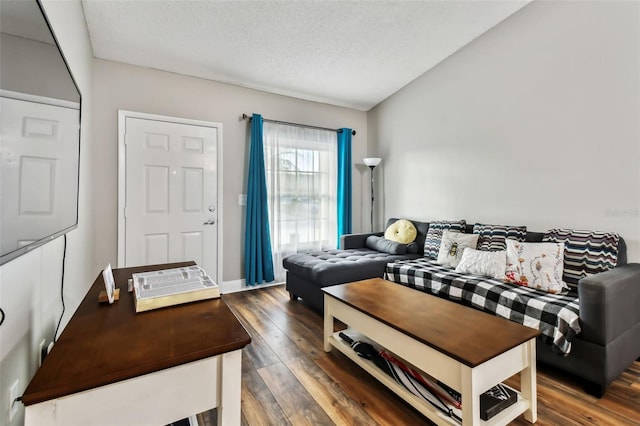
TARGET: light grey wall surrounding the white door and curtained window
(128,87)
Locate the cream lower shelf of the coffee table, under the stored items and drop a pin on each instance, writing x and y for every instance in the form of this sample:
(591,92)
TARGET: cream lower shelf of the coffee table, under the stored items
(504,417)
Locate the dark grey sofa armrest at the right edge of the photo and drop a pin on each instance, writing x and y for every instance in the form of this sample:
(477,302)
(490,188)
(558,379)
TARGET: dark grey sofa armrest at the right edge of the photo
(609,303)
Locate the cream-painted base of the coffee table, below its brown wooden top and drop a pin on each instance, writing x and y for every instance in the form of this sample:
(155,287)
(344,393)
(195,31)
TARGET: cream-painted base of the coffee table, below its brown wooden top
(469,381)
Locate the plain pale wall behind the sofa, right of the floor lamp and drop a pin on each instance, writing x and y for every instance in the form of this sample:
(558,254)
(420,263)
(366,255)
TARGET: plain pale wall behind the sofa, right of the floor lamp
(536,122)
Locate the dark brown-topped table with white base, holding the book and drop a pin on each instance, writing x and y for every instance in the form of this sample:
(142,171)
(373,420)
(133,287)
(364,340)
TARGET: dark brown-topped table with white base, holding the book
(112,366)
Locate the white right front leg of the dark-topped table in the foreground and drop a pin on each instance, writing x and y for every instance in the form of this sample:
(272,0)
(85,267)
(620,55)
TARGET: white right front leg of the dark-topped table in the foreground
(230,389)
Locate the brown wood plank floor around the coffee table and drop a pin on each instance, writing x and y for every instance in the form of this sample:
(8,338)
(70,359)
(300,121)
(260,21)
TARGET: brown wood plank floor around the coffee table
(287,378)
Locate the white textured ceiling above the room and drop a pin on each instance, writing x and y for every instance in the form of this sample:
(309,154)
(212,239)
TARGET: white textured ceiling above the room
(347,53)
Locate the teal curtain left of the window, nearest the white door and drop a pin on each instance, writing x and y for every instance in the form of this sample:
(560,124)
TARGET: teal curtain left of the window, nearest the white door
(258,259)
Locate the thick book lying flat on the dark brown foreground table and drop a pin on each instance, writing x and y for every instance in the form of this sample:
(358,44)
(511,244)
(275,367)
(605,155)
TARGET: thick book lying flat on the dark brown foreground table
(167,287)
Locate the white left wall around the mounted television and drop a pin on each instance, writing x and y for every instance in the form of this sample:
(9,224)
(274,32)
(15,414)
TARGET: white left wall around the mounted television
(30,284)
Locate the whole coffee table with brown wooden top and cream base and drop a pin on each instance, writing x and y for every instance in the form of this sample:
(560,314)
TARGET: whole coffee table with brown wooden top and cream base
(469,350)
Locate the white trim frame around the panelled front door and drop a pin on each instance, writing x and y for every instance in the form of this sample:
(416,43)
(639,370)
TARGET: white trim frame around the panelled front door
(122,116)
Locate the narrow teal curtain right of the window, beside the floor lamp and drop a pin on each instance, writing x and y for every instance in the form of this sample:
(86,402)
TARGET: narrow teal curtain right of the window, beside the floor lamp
(344,183)
